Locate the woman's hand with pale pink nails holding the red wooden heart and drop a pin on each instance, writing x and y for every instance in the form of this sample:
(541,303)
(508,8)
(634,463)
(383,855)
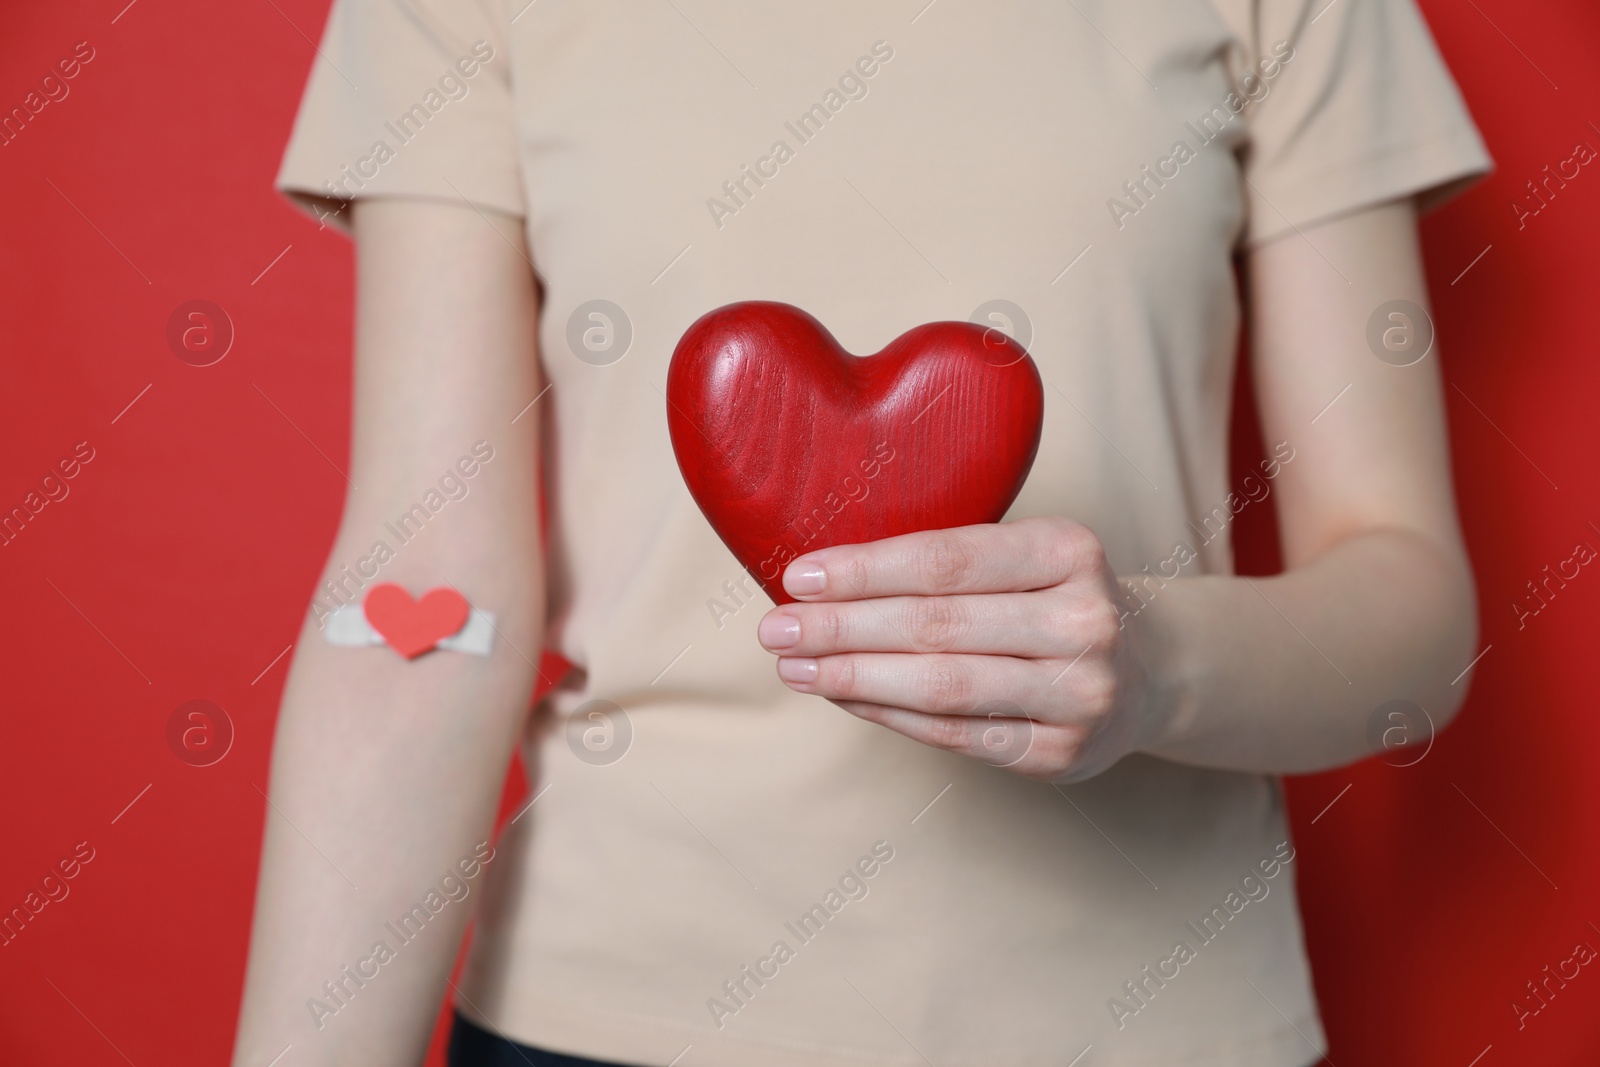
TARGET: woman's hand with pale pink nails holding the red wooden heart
(1002,642)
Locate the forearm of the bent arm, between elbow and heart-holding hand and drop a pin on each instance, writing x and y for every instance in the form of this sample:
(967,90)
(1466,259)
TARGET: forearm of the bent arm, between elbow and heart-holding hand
(1282,674)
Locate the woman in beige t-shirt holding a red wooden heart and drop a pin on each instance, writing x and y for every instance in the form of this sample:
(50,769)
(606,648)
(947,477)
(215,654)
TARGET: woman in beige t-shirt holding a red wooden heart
(718,866)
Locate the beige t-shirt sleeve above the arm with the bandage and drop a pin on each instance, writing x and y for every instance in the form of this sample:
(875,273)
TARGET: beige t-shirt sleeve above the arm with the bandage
(407,98)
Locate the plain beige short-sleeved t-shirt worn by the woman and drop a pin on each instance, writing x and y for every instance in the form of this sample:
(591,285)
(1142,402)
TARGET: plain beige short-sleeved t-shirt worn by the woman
(732,874)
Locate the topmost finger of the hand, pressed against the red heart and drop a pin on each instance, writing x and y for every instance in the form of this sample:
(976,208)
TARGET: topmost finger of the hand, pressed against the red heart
(991,559)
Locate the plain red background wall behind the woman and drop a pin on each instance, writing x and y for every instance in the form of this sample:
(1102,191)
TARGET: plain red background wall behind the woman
(182,562)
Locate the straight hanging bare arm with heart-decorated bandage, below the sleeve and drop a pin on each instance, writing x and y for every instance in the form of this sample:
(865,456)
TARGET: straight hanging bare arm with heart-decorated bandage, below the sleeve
(386,772)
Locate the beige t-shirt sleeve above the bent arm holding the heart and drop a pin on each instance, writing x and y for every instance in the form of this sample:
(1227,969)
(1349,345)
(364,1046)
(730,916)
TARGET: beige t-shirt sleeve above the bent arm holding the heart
(1361,111)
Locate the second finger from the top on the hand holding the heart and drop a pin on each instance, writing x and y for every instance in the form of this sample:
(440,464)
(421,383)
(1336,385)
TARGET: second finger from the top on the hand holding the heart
(1034,625)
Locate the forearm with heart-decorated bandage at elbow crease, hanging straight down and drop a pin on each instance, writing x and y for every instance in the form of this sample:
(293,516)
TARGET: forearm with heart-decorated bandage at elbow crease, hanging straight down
(386,773)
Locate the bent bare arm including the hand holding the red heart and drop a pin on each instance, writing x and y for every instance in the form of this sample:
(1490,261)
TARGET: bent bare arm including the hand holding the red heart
(930,634)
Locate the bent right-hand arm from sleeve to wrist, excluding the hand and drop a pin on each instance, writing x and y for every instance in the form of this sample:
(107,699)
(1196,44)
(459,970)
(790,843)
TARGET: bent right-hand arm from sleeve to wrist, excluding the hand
(1377,578)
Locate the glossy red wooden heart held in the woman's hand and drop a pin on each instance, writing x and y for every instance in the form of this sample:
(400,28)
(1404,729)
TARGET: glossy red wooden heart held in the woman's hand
(790,444)
